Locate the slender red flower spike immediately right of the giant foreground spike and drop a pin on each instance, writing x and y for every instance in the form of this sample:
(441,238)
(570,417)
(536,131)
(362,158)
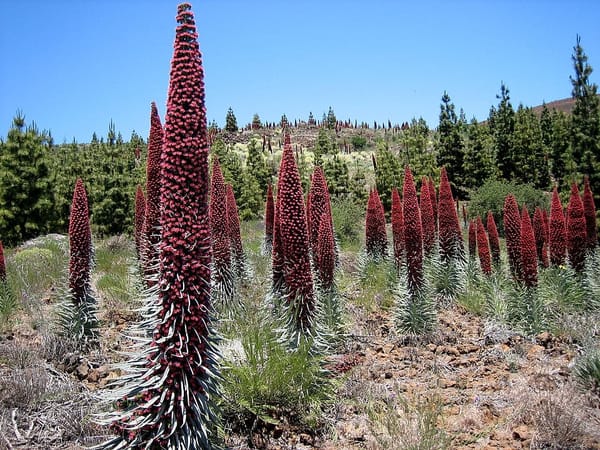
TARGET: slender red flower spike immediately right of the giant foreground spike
(221,242)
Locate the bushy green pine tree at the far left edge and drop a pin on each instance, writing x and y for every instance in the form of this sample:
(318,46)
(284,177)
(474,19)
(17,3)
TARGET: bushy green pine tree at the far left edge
(25,195)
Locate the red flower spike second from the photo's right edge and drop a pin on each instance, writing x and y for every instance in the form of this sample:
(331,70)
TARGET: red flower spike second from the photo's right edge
(576,231)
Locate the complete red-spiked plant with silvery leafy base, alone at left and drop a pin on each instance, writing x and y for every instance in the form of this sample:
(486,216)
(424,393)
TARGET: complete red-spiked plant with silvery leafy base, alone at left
(77,315)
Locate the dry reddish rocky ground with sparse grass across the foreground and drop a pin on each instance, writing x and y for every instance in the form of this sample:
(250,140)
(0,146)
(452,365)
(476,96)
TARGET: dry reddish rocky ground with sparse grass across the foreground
(472,385)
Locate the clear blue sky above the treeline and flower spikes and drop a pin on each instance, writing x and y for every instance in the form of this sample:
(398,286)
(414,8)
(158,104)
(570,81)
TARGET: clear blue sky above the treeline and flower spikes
(72,66)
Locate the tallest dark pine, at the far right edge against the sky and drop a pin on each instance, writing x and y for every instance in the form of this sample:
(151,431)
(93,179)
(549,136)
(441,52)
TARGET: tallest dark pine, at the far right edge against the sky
(585,120)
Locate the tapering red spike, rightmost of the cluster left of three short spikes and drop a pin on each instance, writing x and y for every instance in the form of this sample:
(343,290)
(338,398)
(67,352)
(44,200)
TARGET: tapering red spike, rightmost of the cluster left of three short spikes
(451,243)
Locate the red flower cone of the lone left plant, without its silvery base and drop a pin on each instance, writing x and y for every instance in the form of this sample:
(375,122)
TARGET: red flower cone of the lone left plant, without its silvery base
(80,244)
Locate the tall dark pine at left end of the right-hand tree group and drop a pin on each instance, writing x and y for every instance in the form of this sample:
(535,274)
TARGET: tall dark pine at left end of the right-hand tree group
(450,145)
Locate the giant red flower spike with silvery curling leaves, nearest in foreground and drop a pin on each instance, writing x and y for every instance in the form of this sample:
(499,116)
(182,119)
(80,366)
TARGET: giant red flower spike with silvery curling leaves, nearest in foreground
(169,396)
